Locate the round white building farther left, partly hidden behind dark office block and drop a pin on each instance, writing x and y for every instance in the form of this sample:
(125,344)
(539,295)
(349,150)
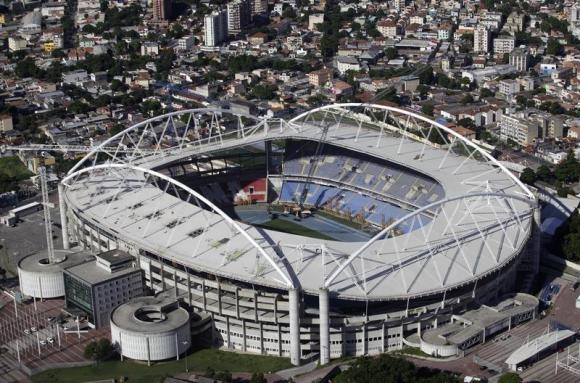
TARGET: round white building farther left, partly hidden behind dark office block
(42,279)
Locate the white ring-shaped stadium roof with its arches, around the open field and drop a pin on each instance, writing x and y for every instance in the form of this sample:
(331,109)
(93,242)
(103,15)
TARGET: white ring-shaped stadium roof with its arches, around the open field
(481,224)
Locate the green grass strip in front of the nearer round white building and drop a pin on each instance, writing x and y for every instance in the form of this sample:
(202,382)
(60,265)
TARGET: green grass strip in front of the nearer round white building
(139,372)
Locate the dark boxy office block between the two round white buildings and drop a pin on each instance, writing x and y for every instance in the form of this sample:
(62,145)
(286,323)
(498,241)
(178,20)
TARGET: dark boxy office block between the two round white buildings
(96,287)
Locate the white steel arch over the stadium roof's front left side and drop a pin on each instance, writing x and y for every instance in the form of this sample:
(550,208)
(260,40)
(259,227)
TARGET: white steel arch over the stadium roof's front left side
(288,281)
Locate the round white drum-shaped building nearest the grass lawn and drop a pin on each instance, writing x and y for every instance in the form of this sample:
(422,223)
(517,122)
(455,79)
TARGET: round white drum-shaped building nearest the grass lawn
(151,329)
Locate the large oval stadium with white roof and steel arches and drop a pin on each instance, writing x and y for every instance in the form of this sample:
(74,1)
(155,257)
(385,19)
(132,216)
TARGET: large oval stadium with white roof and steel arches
(338,232)
